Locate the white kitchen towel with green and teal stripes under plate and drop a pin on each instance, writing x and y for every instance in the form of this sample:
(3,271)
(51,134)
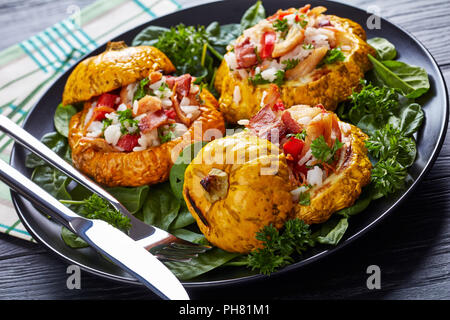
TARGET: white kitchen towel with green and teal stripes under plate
(29,68)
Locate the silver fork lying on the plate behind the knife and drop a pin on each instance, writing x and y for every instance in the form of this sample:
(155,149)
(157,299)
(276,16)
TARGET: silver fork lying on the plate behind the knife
(163,245)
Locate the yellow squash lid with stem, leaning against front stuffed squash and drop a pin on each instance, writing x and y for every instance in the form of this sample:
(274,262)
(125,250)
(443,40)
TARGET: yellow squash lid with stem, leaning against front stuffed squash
(235,186)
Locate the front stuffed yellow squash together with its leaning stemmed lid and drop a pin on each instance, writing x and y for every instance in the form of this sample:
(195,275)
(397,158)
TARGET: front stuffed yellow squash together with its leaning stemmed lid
(322,166)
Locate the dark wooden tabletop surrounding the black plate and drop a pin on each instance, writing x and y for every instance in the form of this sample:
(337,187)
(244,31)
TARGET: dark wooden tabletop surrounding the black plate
(411,247)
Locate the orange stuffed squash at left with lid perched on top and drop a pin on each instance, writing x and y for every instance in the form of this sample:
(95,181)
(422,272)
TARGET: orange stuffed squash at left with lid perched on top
(135,119)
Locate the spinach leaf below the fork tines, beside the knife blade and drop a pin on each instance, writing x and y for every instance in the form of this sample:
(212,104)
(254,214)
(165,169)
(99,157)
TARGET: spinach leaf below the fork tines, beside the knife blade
(203,263)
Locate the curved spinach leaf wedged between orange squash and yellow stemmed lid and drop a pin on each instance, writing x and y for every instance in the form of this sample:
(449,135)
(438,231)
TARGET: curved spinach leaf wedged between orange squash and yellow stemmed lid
(176,176)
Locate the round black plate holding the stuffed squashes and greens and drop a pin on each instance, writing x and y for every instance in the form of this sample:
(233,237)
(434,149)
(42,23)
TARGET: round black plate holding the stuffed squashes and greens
(429,139)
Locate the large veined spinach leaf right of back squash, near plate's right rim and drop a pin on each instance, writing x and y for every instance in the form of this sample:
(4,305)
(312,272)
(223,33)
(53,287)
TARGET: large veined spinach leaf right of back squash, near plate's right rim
(412,81)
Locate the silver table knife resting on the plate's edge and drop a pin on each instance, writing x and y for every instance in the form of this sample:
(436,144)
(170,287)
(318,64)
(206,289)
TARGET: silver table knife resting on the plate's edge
(107,240)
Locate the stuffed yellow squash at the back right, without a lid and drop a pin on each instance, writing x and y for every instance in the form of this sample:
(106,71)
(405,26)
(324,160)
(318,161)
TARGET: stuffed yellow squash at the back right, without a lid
(313,57)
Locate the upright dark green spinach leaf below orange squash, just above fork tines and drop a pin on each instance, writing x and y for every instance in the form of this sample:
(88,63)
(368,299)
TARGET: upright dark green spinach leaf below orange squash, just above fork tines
(161,207)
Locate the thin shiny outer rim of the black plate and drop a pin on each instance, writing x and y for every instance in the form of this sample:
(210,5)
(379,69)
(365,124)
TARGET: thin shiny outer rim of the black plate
(18,200)
